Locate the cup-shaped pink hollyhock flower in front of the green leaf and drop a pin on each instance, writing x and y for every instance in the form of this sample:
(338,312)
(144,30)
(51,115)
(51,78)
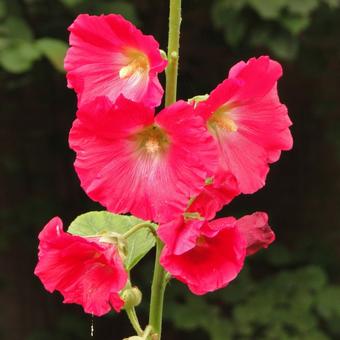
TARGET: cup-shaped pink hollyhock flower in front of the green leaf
(85,271)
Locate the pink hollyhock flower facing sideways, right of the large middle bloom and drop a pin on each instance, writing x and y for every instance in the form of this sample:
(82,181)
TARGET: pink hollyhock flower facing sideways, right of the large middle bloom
(248,122)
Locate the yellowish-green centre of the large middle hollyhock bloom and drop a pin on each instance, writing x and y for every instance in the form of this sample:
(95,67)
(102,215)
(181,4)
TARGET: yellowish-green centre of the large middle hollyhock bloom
(152,140)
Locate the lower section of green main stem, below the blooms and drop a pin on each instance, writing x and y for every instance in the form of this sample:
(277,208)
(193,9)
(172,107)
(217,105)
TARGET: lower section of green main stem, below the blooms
(157,293)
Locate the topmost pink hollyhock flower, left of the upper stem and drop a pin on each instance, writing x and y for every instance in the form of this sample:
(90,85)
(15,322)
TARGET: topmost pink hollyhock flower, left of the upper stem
(109,56)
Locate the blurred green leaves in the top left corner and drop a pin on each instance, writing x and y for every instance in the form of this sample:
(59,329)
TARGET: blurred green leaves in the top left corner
(21,45)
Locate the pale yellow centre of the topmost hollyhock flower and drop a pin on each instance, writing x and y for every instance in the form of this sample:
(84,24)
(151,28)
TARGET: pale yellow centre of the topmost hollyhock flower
(136,62)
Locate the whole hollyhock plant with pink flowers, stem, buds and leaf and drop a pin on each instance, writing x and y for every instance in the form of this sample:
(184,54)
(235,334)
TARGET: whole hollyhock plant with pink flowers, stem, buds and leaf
(171,170)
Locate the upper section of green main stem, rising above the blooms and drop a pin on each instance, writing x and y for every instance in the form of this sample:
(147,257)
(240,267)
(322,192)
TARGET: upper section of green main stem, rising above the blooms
(173,51)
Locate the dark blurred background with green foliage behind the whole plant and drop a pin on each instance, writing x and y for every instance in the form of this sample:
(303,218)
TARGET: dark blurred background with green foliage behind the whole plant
(291,291)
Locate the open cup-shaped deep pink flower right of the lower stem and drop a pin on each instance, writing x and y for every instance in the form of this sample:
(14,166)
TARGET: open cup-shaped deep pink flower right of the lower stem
(204,255)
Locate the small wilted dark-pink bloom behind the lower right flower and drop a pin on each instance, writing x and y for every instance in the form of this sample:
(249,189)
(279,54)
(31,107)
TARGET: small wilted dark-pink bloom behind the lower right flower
(256,231)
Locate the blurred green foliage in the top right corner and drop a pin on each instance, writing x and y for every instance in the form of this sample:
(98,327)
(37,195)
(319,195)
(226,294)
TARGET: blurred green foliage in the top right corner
(275,25)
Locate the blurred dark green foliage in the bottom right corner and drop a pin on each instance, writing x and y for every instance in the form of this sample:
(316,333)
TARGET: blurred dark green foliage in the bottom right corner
(291,303)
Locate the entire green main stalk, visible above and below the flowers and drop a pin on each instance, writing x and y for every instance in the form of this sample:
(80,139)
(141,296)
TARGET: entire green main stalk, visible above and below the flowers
(160,278)
